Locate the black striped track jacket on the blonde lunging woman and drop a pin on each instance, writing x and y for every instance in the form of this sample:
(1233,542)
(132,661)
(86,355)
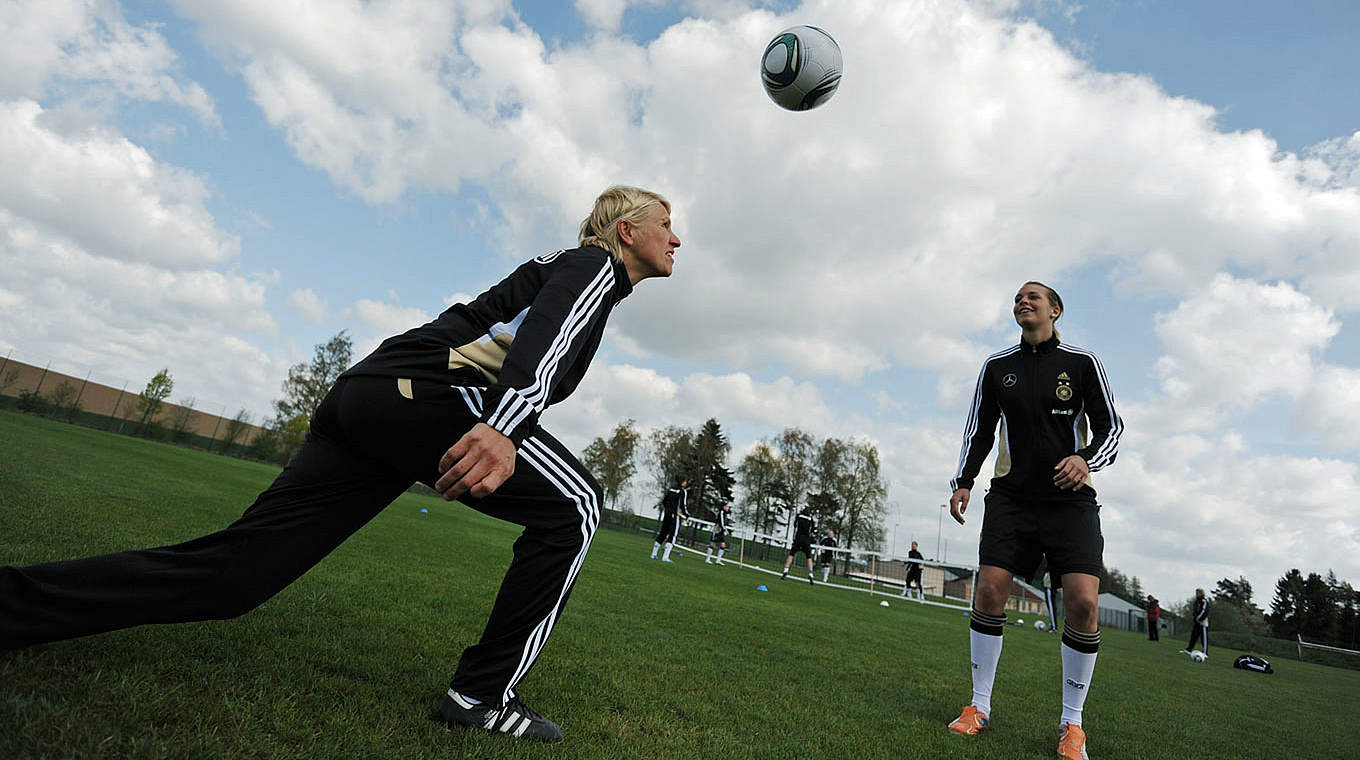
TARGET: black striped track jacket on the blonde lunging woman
(524,345)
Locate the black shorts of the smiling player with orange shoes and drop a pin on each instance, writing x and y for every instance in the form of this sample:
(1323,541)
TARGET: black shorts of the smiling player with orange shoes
(1018,534)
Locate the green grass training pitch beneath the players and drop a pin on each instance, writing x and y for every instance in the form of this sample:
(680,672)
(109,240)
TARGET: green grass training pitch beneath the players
(649,660)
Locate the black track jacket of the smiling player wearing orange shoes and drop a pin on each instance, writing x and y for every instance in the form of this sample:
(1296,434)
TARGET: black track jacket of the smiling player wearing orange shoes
(1044,396)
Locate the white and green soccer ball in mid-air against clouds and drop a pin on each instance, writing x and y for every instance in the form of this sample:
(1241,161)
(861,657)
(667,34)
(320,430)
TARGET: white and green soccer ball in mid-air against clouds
(802,69)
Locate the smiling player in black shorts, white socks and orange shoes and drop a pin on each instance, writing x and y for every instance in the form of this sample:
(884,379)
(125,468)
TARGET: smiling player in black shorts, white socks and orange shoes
(1055,402)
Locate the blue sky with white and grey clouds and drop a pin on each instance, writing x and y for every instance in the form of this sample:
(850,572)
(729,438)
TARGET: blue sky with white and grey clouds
(216,187)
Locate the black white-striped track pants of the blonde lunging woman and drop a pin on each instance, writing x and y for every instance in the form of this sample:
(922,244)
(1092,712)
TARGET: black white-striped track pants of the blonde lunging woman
(368,444)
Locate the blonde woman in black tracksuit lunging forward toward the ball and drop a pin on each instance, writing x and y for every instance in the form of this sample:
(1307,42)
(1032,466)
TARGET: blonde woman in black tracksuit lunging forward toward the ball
(454,404)
